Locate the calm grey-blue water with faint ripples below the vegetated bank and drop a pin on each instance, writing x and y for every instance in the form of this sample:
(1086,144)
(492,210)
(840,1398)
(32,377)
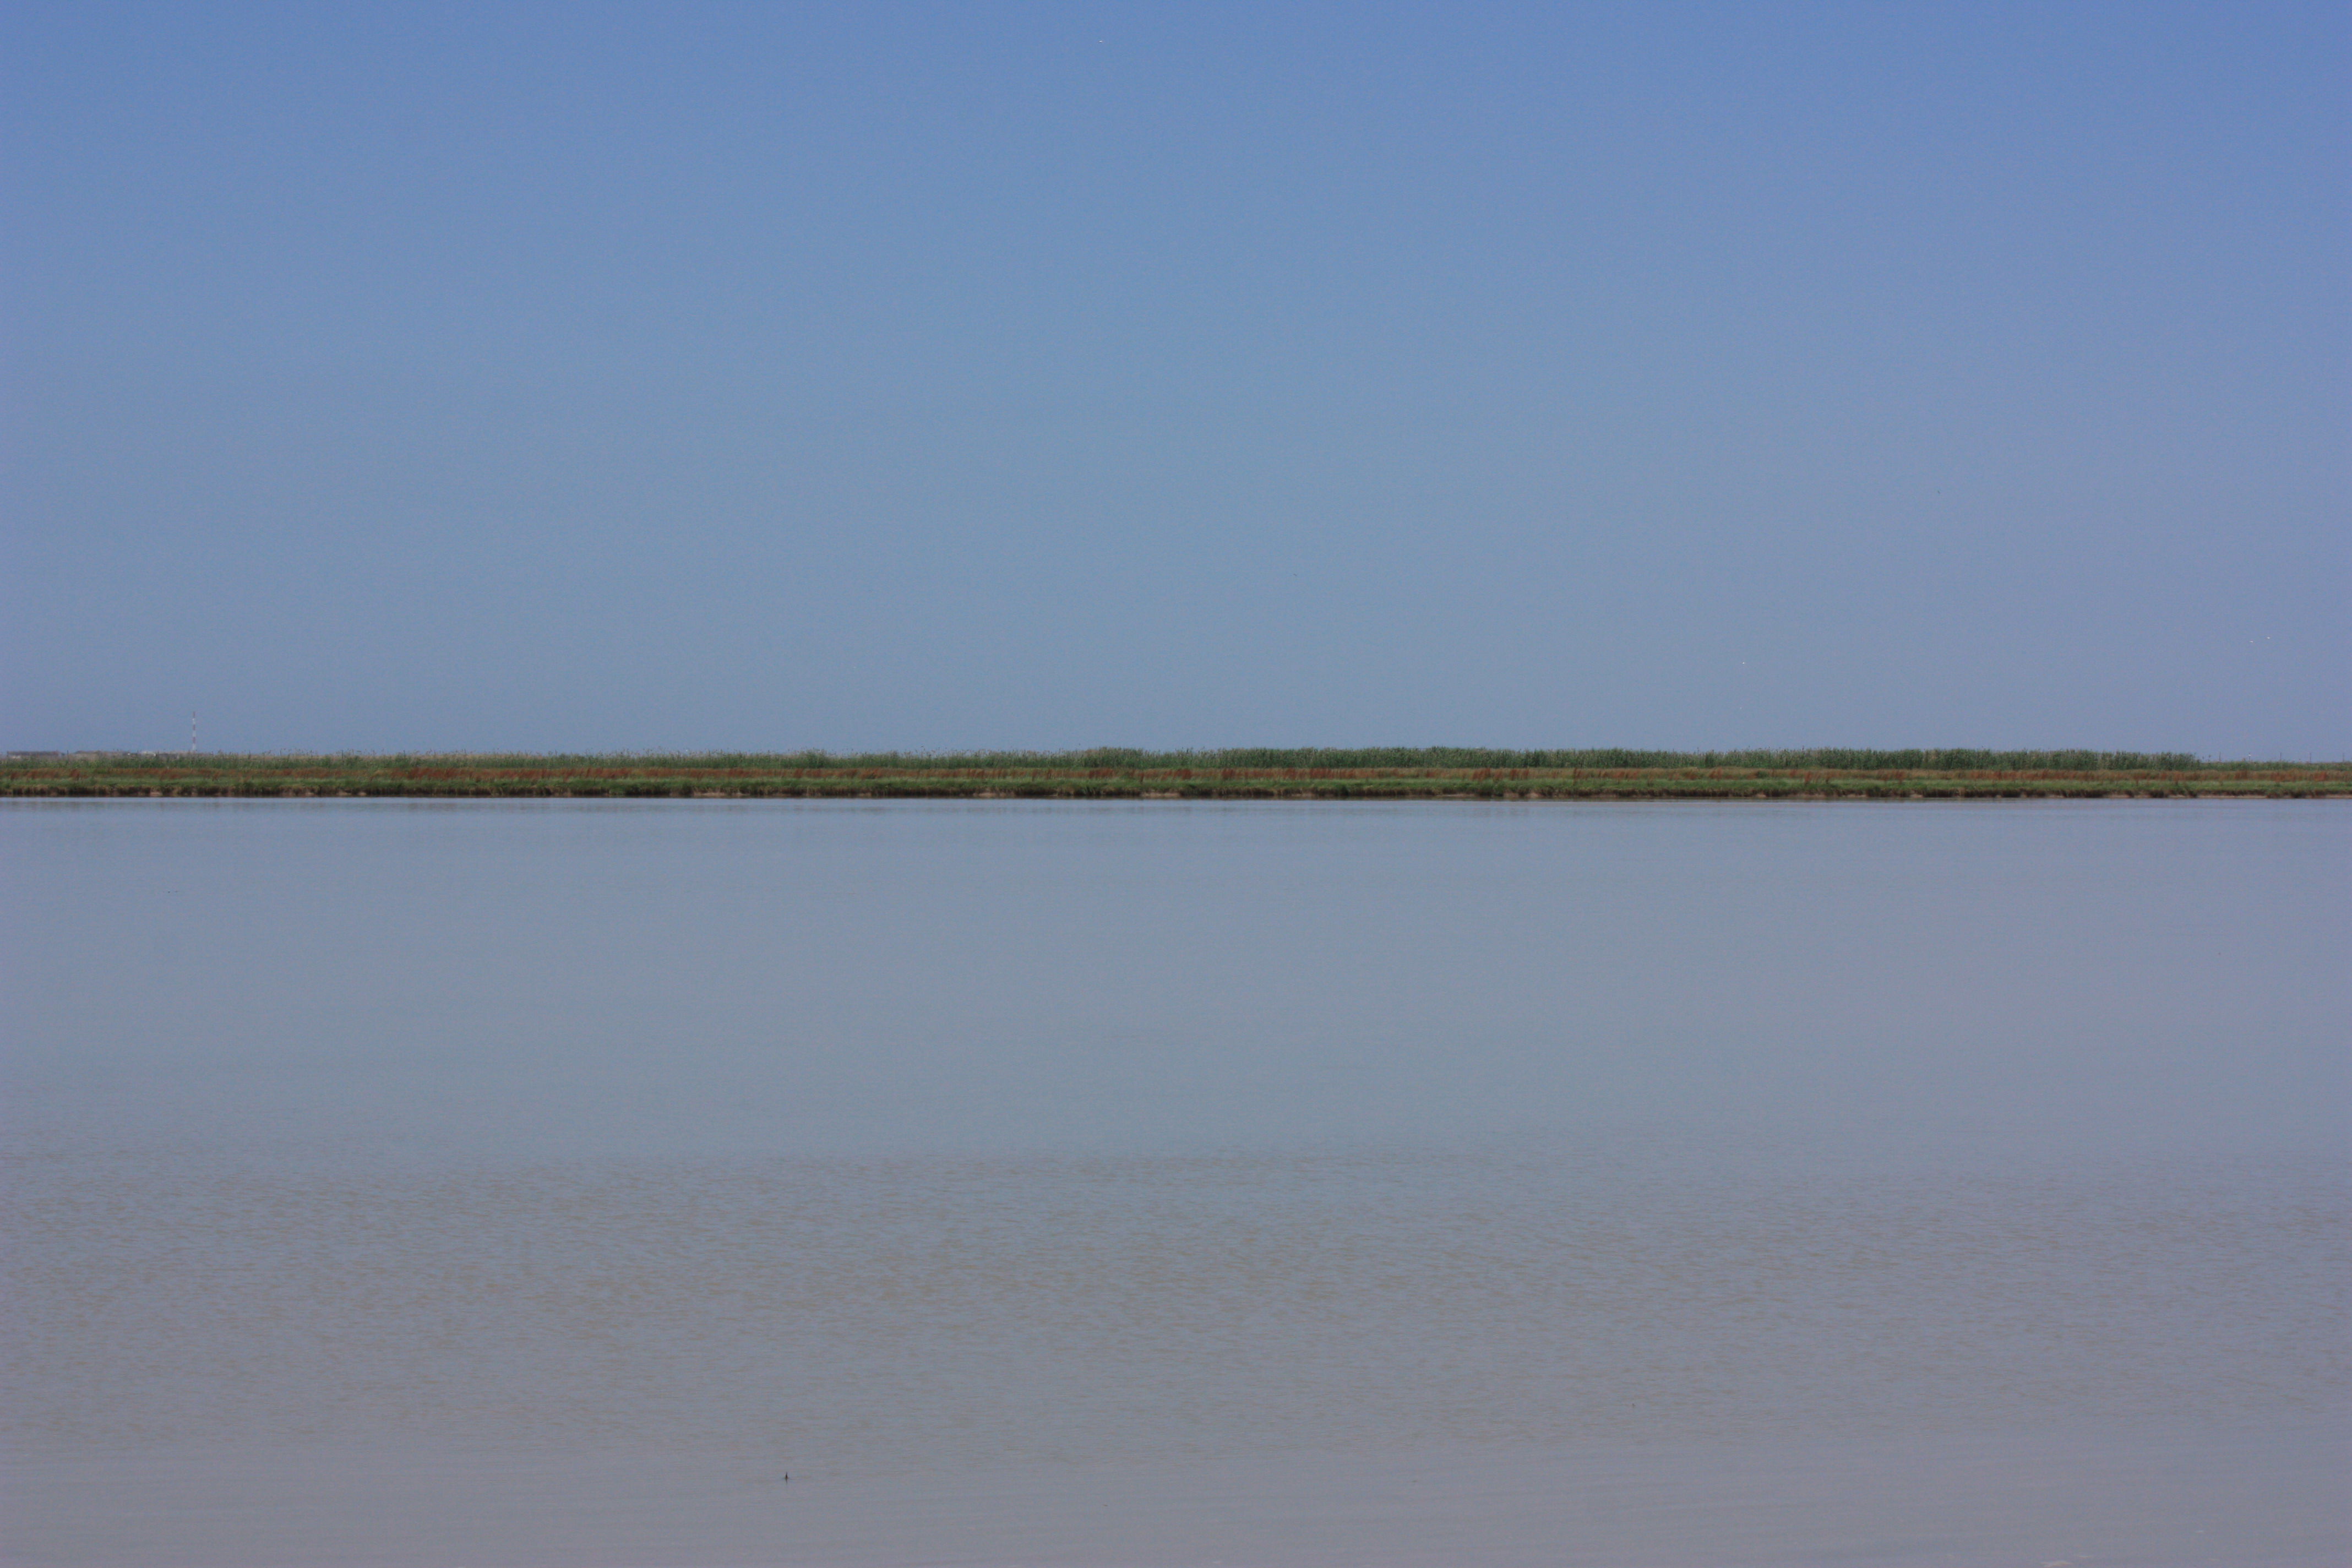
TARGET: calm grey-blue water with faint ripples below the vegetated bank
(542,1184)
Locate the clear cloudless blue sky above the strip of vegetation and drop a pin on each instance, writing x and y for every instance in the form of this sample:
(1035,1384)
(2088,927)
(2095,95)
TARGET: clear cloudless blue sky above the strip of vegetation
(617,377)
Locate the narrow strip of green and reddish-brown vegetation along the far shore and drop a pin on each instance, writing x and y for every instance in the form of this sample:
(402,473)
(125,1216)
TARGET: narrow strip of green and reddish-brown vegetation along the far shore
(1234,775)
